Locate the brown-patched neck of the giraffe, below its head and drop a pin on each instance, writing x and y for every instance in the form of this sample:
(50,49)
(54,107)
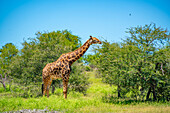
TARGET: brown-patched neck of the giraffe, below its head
(76,54)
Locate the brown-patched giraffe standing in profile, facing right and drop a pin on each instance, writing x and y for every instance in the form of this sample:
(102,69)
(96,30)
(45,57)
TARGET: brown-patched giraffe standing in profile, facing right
(62,67)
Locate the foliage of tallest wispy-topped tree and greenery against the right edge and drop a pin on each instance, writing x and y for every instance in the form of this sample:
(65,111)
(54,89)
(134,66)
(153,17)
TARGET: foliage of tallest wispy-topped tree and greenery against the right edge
(152,66)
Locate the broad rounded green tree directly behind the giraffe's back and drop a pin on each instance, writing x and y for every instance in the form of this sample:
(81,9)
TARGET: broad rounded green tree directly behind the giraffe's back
(26,67)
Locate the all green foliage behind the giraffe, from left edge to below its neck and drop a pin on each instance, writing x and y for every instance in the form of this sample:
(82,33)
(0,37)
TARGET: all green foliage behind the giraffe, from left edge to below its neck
(25,68)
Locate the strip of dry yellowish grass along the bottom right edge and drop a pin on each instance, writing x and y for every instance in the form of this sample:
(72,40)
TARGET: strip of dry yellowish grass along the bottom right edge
(125,109)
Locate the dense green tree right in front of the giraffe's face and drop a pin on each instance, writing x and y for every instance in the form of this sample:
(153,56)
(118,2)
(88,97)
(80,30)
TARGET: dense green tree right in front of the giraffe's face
(115,65)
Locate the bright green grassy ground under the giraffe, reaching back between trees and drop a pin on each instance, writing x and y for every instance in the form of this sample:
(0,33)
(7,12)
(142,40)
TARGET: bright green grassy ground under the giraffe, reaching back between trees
(77,102)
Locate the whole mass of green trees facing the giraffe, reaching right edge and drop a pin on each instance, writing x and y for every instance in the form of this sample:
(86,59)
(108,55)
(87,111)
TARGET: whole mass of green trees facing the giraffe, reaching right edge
(139,63)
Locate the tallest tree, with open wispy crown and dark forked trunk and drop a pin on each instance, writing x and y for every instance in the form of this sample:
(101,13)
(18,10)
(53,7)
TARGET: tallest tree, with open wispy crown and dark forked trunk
(150,40)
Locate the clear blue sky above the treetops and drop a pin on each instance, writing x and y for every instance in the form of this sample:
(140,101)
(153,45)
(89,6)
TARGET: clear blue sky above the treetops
(21,19)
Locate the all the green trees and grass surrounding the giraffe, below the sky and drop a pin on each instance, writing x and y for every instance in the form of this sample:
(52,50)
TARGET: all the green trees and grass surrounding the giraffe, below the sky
(131,76)
